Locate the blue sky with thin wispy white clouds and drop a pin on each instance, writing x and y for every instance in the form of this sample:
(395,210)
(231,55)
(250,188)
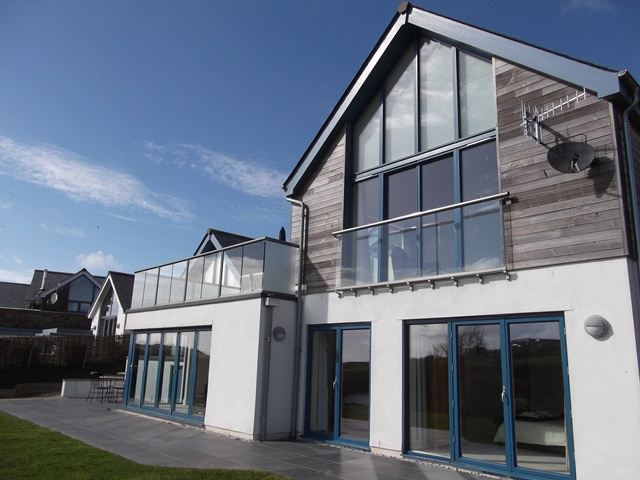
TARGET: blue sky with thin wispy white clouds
(128,128)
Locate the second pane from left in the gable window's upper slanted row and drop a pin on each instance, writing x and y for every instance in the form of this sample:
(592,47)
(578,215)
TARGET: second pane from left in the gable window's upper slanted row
(400,108)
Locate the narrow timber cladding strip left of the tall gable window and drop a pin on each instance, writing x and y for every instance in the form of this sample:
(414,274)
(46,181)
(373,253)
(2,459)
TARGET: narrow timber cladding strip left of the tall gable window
(324,195)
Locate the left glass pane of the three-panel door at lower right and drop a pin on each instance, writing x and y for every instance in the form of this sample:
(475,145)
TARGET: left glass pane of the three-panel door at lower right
(429,388)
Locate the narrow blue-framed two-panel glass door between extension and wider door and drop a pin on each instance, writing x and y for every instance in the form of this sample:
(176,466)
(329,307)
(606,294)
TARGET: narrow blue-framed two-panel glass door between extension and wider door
(338,385)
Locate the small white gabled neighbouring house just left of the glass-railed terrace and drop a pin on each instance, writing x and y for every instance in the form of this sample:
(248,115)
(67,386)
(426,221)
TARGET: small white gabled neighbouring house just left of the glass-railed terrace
(108,312)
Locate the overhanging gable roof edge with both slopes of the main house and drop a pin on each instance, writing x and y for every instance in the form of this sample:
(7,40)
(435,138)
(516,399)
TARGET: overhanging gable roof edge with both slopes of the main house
(605,82)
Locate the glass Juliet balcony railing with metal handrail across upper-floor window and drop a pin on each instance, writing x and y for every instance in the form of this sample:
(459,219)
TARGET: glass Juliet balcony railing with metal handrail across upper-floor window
(463,237)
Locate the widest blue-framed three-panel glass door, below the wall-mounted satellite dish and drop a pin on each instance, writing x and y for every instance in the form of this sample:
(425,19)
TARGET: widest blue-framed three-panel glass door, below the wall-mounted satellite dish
(492,394)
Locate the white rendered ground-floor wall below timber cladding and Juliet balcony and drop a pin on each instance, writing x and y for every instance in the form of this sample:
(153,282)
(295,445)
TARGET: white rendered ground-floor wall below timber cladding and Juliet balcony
(603,375)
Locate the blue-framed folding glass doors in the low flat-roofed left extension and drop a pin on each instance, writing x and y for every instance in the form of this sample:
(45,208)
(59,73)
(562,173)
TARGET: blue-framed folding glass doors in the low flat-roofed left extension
(168,372)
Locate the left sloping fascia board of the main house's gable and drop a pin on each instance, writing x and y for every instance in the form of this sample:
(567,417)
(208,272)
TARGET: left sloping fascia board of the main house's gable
(336,119)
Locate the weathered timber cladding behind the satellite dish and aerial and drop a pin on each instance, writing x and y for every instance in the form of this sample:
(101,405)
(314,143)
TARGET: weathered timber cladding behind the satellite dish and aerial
(556,217)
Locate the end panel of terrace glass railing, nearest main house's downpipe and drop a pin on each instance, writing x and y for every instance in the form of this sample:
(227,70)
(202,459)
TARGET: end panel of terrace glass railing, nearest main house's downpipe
(279,268)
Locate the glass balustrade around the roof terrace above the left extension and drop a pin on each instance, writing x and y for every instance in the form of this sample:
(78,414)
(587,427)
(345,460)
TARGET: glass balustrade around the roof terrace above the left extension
(259,265)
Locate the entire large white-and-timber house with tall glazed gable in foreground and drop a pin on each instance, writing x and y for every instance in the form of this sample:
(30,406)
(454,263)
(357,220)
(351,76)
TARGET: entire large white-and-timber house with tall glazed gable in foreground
(469,225)
